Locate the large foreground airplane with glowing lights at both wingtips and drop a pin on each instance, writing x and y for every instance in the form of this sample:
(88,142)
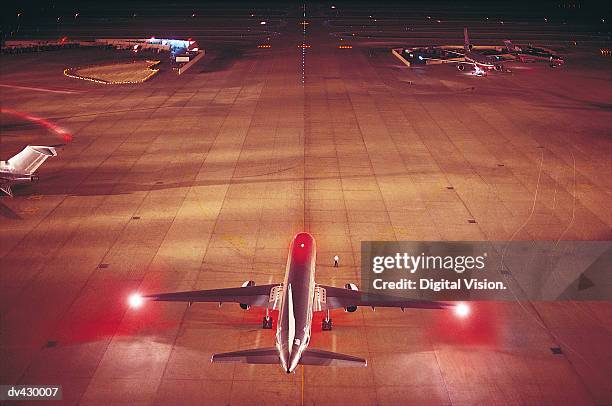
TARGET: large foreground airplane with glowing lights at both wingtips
(297,298)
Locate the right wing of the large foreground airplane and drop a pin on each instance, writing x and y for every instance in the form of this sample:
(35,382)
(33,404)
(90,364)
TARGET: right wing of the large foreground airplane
(341,297)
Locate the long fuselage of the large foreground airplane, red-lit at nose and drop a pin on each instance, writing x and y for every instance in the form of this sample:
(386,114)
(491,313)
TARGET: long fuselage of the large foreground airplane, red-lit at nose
(295,317)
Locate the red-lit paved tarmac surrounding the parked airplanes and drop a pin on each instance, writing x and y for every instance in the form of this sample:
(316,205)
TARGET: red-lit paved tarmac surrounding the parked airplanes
(200,181)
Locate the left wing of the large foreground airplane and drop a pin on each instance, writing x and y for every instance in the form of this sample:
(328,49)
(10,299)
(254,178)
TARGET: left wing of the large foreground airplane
(263,295)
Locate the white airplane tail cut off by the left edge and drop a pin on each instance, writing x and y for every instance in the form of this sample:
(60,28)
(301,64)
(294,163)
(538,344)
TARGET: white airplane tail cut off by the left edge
(21,167)
